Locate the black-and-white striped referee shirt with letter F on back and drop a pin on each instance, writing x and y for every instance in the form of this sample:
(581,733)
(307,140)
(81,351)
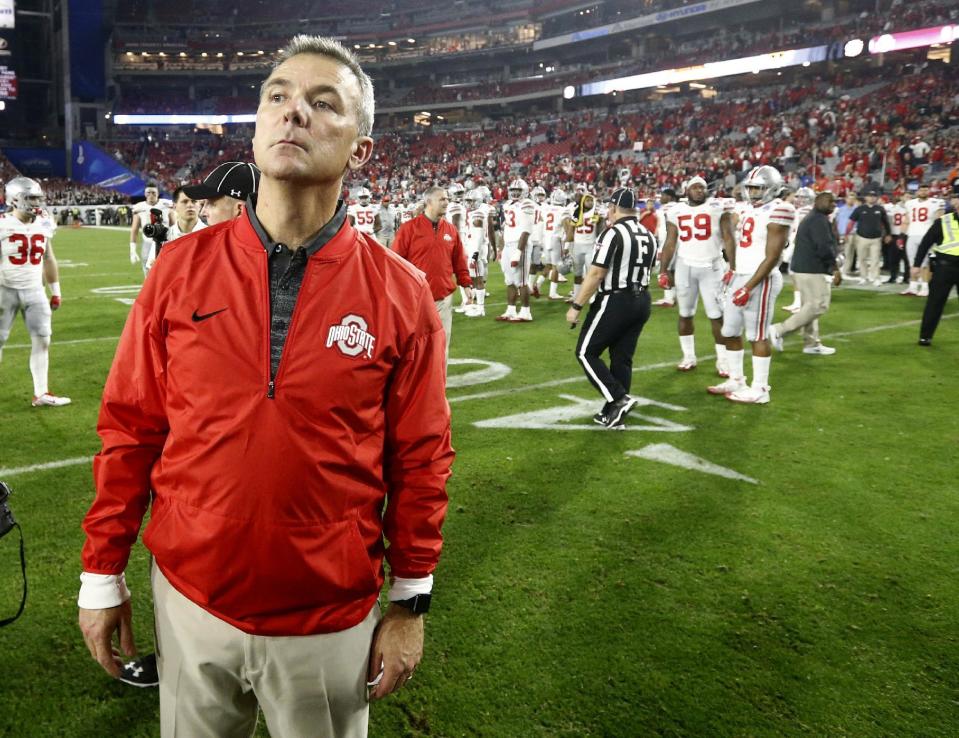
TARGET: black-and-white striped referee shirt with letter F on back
(626,250)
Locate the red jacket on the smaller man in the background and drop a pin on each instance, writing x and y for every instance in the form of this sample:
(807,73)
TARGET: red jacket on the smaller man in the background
(437,252)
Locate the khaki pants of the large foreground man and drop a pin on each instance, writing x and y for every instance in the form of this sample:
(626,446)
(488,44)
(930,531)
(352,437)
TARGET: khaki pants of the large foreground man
(213,677)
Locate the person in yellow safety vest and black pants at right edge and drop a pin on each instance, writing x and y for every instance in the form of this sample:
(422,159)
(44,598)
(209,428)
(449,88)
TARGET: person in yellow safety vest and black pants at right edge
(943,238)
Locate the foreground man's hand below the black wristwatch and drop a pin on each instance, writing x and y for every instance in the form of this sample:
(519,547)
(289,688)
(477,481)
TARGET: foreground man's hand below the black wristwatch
(397,650)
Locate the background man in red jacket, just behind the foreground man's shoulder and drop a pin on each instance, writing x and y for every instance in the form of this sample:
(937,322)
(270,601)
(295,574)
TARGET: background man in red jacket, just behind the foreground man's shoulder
(432,244)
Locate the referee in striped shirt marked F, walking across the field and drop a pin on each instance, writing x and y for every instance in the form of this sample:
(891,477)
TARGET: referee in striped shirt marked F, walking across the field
(618,275)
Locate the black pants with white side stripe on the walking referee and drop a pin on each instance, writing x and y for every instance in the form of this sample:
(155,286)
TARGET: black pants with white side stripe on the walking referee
(614,322)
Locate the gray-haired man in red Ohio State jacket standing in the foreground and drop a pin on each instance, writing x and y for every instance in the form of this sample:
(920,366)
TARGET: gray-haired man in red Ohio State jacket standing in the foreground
(277,398)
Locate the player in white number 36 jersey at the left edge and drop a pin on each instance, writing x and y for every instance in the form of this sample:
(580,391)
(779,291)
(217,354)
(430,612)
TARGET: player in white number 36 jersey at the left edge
(26,260)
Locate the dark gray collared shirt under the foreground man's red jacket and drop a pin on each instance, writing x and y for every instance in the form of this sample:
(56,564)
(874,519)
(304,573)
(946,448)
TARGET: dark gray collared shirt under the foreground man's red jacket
(287,268)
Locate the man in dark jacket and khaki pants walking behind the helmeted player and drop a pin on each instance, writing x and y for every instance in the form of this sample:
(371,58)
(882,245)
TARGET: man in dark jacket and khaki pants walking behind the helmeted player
(813,257)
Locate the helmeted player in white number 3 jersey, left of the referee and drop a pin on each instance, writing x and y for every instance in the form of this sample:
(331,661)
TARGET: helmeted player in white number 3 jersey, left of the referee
(518,214)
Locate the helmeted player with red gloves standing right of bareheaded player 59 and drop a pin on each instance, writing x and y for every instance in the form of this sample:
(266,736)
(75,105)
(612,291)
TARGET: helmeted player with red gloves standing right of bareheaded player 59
(754,282)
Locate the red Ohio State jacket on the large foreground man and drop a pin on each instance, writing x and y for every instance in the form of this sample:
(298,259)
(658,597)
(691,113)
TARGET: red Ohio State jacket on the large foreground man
(271,500)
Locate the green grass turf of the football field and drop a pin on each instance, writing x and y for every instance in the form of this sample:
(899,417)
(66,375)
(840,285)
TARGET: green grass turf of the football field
(584,592)
